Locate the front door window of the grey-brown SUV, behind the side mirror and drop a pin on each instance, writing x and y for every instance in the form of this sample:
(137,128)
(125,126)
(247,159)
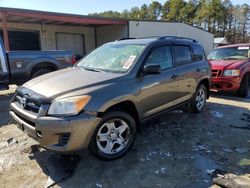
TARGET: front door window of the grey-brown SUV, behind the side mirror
(161,56)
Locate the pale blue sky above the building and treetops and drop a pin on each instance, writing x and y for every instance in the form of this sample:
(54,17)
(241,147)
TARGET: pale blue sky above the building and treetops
(81,6)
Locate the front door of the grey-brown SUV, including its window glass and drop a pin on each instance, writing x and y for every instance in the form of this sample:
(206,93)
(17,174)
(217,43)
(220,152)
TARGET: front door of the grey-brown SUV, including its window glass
(159,91)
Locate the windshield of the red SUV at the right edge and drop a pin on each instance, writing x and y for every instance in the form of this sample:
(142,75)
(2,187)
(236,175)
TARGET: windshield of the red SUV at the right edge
(229,53)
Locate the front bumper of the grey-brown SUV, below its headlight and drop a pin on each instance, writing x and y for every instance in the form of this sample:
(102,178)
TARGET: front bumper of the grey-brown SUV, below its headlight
(61,134)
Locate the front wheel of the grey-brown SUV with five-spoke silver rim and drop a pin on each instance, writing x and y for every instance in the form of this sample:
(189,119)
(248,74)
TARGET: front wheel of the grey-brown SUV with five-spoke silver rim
(114,126)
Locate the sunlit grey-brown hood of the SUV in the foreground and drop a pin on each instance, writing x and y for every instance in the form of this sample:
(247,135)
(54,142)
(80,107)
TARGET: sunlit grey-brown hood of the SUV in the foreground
(70,80)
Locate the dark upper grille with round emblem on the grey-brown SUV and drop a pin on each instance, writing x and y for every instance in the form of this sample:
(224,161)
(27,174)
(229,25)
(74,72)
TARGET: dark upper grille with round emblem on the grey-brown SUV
(25,104)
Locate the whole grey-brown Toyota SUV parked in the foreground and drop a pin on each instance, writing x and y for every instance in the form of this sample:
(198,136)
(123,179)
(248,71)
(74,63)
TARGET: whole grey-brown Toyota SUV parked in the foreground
(100,102)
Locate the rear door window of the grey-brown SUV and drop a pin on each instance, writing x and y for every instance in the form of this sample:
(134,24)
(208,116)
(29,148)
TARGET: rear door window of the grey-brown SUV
(182,55)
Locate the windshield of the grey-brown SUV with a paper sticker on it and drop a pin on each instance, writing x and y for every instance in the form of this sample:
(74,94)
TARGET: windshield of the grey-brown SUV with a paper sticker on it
(117,58)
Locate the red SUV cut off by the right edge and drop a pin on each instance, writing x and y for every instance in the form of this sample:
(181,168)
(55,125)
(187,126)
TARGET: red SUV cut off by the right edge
(231,68)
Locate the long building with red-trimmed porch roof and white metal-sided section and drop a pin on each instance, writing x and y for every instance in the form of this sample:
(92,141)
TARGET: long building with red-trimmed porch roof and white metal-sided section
(36,30)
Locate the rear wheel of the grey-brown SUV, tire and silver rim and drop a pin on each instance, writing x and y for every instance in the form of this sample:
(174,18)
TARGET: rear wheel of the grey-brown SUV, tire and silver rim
(198,102)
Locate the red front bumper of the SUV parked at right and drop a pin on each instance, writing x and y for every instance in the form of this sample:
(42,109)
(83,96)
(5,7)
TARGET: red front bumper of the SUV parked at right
(226,83)
